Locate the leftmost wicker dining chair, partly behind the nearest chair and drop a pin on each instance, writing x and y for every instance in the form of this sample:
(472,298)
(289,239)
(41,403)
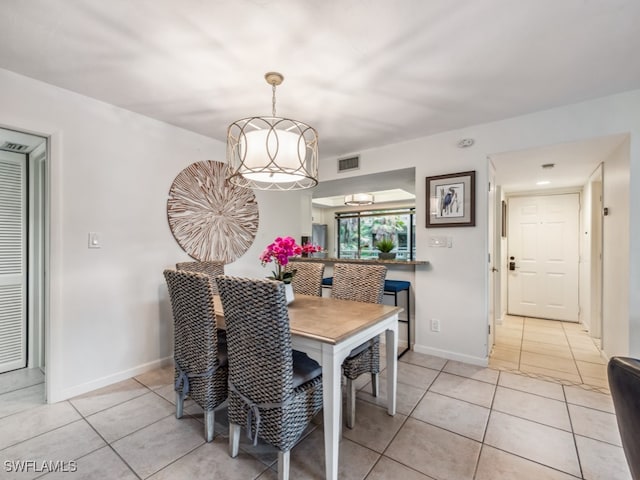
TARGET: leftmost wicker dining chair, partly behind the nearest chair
(200,356)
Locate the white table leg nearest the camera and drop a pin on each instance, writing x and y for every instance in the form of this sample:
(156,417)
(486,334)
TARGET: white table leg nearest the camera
(331,398)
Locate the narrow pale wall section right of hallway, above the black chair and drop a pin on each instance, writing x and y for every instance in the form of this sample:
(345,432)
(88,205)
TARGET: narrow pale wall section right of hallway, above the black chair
(615,254)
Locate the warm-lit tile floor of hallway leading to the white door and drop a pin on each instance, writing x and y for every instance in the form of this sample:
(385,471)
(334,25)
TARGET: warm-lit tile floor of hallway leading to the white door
(548,349)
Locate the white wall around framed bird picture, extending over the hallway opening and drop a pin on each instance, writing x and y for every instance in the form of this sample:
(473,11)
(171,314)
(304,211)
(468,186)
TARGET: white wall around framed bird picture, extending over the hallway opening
(453,288)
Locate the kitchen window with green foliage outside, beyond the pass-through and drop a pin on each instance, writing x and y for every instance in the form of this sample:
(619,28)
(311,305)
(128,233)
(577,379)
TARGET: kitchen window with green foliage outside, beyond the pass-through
(359,232)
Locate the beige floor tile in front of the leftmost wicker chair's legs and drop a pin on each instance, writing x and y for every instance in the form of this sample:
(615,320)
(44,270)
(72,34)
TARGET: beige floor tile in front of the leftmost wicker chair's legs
(154,447)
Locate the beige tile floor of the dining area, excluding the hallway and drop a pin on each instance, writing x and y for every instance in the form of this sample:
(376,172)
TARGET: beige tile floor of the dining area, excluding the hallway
(454,421)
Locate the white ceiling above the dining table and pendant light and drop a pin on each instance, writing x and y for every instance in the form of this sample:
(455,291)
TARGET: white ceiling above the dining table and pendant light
(363,72)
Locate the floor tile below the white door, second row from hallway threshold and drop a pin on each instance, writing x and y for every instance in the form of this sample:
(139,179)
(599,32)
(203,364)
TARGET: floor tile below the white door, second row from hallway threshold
(532,407)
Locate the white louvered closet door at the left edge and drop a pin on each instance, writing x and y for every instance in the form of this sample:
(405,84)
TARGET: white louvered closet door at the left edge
(13,331)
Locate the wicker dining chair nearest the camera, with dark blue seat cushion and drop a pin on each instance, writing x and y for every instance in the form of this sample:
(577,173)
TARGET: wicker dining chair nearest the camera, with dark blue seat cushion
(273,390)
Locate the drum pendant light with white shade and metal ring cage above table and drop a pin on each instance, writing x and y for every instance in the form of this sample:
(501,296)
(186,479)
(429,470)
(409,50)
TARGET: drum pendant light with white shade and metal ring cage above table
(272,153)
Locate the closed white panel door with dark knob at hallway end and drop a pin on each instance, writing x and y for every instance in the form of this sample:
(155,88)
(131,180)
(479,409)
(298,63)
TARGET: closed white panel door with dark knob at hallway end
(543,256)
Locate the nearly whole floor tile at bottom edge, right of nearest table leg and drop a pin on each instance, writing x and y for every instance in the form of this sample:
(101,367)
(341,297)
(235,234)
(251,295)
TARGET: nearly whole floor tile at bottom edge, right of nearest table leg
(435,452)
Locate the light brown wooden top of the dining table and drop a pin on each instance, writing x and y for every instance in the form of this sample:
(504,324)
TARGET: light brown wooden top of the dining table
(327,319)
